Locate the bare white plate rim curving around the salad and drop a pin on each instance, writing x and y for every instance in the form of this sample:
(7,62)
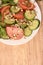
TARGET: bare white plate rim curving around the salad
(23,41)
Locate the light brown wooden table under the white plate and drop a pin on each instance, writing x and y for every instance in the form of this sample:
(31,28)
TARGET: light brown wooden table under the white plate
(27,54)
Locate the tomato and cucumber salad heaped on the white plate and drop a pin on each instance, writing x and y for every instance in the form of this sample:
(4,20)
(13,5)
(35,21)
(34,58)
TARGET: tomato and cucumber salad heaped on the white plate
(17,19)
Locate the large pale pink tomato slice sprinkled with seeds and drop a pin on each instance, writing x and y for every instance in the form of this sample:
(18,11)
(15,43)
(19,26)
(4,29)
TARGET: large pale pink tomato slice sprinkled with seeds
(14,32)
